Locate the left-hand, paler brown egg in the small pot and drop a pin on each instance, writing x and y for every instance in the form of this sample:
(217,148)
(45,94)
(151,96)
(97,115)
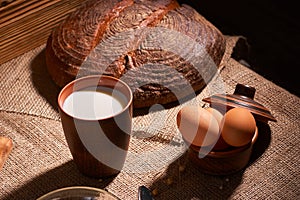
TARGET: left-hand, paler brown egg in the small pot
(197,126)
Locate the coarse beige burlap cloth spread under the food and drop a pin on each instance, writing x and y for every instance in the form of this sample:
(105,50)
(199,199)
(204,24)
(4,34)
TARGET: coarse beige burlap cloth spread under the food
(41,162)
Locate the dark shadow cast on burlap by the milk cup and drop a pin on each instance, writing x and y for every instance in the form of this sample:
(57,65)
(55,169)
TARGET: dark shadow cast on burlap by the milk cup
(65,175)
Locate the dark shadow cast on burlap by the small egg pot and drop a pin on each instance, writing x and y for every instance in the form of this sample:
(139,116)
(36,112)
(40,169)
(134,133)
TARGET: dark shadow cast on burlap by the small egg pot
(184,179)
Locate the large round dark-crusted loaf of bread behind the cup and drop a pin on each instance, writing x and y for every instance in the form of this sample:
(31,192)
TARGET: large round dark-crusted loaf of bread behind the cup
(164,51)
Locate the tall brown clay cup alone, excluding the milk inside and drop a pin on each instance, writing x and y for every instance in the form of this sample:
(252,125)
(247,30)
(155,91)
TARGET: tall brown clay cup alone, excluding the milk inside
(99,147)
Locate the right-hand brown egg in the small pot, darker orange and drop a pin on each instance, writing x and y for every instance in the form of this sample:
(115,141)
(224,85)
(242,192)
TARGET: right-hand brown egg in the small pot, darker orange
(238,127)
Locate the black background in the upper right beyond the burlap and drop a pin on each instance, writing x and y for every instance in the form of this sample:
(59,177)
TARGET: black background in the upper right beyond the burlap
(272,30)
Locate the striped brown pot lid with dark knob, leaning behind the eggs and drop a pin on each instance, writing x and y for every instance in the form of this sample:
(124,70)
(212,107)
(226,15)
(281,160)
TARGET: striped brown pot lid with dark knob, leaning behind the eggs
(243,96)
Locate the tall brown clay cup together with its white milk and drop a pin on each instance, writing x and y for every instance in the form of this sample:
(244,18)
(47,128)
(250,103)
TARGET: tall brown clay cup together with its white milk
(96,116)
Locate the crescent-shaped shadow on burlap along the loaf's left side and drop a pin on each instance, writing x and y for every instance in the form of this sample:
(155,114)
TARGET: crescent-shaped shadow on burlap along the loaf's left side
(42,80)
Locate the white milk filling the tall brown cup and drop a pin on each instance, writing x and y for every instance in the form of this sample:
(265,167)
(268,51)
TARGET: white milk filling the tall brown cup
(94,104)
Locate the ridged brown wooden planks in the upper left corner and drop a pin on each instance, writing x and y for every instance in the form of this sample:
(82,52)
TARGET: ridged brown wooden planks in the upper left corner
(26,24)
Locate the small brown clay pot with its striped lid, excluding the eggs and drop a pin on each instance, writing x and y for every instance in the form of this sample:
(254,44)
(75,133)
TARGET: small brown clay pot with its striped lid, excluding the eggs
(233,159)
